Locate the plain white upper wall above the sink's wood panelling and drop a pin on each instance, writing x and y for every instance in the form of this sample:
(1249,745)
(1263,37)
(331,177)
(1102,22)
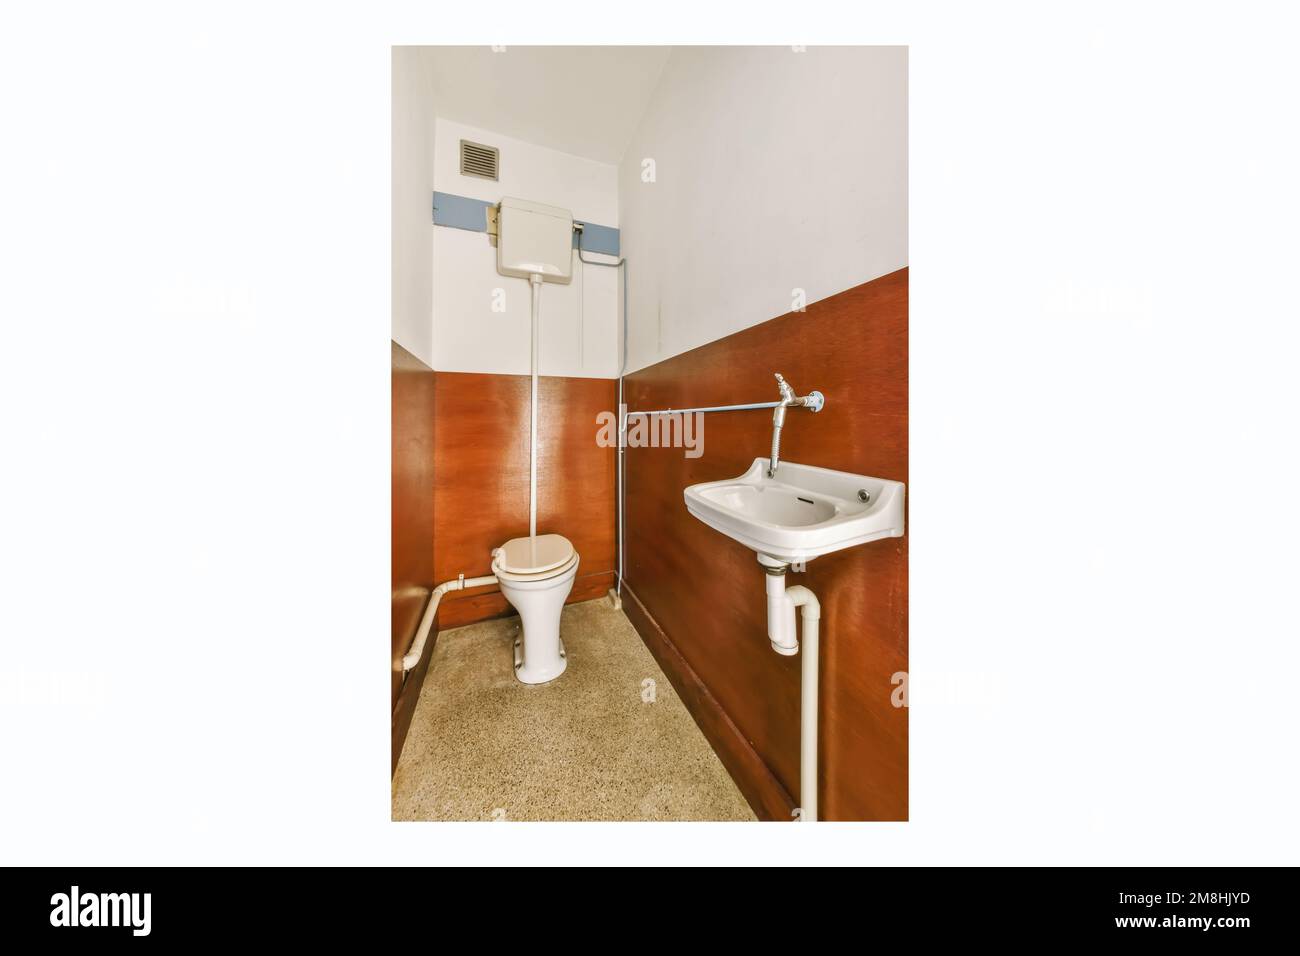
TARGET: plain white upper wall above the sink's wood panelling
(775,171)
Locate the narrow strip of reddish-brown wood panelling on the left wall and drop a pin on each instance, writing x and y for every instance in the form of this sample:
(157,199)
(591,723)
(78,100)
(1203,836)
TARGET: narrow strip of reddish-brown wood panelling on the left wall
(414,429)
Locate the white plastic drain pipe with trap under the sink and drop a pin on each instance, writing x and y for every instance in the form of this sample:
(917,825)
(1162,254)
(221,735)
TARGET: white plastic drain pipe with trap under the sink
(782,603)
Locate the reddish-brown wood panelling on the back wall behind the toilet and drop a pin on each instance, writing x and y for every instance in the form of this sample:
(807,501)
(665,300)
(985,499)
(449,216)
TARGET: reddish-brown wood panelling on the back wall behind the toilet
(482,483)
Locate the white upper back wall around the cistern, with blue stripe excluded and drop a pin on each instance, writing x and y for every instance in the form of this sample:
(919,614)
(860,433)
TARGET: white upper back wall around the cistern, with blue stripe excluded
(469,335)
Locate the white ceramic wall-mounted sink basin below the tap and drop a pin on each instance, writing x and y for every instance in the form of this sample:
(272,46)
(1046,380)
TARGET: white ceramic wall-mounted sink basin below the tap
(801,514)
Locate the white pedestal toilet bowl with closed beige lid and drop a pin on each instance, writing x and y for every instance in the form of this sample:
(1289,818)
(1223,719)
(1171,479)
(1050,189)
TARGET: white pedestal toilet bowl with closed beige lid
(536,576)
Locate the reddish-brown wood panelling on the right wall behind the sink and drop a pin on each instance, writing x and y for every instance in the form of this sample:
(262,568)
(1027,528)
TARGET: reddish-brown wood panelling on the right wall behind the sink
(697,598)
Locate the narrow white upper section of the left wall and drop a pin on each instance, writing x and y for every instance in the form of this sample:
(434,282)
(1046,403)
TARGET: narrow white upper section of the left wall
(413,202)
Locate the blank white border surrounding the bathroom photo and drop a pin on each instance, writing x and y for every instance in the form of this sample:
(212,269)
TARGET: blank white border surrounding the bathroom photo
(194,214)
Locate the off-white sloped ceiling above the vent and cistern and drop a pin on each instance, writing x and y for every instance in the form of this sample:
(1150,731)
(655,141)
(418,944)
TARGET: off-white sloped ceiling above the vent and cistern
(583,101)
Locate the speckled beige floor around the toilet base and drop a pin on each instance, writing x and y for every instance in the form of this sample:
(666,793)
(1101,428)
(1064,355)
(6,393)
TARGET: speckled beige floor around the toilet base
(599,743)
